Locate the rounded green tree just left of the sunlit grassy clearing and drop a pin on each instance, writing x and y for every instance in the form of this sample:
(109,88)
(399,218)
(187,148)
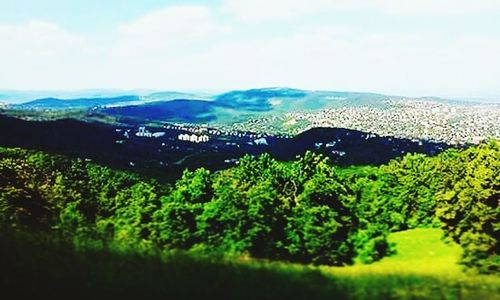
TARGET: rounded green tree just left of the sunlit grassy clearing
(320,225)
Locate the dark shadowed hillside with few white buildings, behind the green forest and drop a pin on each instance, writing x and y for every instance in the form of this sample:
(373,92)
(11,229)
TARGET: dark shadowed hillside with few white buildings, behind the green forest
(167,155)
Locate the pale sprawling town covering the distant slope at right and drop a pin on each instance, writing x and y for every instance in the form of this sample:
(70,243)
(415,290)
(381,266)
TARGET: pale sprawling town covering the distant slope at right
(407,118)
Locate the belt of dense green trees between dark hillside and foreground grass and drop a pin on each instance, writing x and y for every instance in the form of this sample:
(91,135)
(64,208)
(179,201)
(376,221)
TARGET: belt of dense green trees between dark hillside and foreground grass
(306,211)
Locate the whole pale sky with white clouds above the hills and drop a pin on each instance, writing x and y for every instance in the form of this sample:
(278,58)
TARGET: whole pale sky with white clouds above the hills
(447,48)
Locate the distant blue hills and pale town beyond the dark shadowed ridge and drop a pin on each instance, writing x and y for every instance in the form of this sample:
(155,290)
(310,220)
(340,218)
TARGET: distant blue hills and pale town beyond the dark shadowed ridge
(282,112)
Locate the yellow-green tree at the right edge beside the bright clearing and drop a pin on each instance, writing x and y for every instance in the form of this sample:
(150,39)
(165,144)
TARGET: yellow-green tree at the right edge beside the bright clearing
(468,204)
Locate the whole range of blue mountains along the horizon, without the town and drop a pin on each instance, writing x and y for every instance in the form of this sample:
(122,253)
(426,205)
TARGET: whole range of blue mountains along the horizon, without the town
(202,107)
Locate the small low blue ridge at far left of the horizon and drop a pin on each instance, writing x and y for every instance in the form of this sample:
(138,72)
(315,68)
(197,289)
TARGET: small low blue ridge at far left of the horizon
(56,103)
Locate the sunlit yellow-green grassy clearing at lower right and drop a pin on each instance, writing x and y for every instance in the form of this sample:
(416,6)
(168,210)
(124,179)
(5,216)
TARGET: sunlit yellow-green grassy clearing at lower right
(424,267)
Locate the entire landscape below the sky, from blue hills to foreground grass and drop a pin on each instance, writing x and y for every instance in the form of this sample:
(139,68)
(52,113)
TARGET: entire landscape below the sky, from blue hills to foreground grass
(351,194)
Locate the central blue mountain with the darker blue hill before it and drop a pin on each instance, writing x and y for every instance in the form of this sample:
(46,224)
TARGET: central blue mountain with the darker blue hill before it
(239,105)
